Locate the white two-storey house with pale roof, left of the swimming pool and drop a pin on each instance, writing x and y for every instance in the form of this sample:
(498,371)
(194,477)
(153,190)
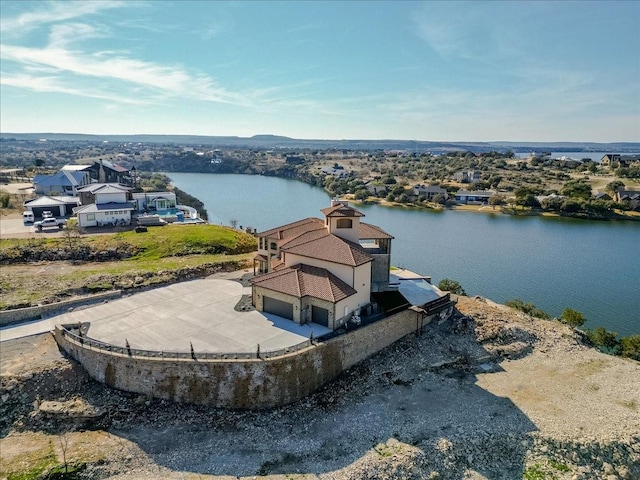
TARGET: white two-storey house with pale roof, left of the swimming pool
(104,204)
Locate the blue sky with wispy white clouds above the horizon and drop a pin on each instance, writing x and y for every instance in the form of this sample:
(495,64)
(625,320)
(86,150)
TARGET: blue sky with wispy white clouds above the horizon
(442,71)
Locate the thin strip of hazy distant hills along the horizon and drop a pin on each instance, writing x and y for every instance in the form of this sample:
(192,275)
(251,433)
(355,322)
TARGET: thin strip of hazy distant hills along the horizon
(276,141)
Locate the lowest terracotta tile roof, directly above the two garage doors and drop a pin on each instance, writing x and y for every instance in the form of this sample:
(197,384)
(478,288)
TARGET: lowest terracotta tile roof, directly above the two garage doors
(306,281)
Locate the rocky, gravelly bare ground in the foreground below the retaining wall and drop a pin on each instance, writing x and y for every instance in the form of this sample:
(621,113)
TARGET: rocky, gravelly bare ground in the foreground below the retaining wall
(493,394)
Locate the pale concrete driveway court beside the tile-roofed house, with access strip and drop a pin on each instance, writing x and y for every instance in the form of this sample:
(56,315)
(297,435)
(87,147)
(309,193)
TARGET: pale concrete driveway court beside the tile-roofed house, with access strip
(199,312)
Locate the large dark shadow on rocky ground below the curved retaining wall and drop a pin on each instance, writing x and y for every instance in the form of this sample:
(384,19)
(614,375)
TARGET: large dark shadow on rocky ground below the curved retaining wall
(419,395)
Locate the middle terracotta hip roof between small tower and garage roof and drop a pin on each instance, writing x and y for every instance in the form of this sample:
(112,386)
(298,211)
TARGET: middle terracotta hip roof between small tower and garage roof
(331,249)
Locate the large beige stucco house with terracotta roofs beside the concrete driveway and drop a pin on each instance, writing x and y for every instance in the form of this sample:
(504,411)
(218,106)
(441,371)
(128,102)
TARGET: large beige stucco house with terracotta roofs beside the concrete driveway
(321,271)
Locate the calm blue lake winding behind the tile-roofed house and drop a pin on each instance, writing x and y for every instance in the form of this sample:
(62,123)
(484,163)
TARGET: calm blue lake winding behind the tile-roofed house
(591,266)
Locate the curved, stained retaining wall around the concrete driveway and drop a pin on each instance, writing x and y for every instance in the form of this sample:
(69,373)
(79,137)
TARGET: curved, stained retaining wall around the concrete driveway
(245,384)
